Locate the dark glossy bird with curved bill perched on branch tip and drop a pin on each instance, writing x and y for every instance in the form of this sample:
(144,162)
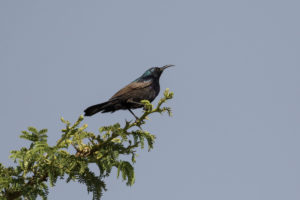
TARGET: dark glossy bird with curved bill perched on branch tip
(145,87)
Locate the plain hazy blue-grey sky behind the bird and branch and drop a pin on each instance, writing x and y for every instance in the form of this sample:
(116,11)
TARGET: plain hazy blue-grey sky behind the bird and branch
(235,131)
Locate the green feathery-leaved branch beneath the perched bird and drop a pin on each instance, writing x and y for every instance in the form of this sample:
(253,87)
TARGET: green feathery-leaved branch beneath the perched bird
(40,163)
